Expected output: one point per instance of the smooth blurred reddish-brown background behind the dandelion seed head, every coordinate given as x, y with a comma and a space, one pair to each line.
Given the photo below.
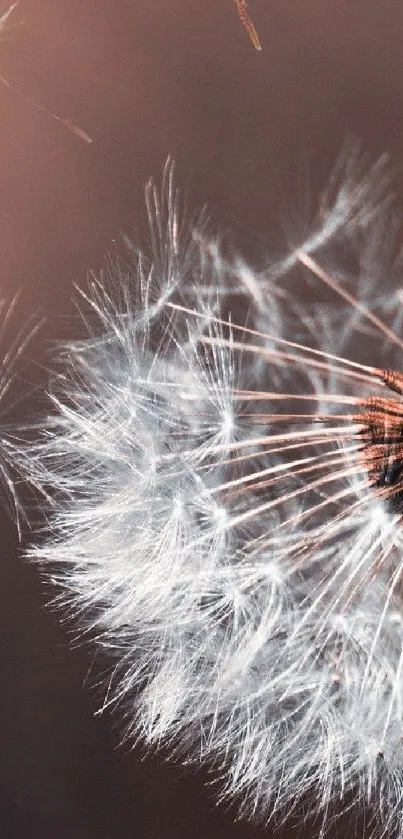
249, 131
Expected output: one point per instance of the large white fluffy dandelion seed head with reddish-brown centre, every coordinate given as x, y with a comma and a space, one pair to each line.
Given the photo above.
224, 469
